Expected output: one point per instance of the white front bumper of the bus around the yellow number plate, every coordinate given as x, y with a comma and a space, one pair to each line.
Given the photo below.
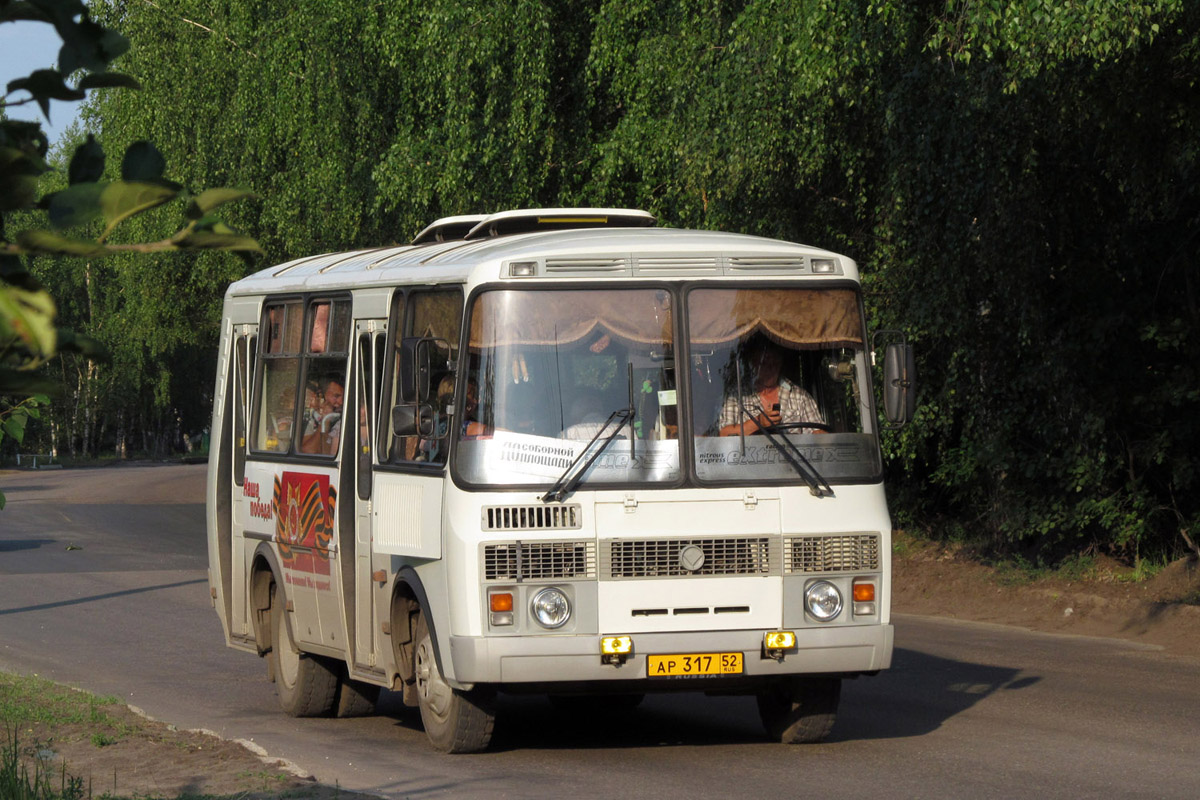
577, 659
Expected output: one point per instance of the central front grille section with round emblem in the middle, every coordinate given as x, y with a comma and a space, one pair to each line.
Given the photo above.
659, 558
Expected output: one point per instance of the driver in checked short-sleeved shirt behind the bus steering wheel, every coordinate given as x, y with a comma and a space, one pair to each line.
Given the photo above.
775, 401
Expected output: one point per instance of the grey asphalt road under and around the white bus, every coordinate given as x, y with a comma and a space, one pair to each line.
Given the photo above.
103, 586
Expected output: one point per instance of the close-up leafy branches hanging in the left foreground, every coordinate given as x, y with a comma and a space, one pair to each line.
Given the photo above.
29, 335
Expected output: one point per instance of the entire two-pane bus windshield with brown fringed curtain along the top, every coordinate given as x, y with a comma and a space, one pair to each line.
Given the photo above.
776, 388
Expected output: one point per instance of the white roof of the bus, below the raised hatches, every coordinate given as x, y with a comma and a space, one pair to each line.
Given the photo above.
659, 254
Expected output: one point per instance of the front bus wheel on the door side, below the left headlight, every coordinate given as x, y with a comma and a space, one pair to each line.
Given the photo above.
455, 721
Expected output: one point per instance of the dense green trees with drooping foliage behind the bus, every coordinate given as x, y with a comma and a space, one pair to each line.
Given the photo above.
1016, 178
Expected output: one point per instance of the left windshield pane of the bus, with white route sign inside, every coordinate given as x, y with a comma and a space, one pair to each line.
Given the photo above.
548, 370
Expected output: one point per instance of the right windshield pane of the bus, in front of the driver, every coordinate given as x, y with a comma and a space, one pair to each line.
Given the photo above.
778, 382
